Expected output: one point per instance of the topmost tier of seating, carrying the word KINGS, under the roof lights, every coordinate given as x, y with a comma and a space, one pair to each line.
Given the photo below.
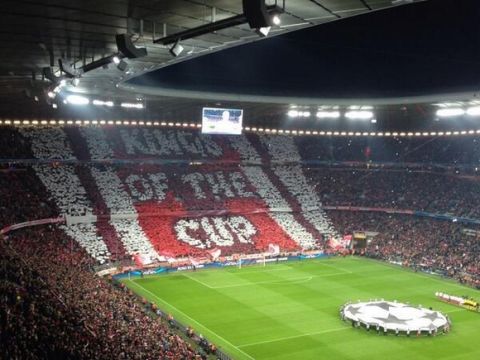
99, 143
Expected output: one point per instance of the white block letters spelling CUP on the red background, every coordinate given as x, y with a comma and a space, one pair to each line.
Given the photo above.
207, 232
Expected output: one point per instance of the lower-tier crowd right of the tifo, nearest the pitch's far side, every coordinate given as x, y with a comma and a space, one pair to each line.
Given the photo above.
449, 248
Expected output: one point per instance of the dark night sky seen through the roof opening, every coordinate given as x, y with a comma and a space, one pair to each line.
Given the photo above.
423, 48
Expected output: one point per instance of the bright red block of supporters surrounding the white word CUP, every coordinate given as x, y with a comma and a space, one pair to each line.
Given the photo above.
189, 223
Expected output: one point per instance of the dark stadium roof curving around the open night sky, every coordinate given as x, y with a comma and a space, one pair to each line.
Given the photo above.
36, 33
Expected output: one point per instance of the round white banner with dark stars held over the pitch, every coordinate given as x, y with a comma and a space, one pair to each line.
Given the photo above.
387, 316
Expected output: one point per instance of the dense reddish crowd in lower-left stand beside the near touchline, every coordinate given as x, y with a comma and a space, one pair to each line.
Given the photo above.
53, 306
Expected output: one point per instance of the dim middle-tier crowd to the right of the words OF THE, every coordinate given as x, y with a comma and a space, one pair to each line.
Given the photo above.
399, 189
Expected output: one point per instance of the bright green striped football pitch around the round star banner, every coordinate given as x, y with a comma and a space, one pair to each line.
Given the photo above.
291, 310
